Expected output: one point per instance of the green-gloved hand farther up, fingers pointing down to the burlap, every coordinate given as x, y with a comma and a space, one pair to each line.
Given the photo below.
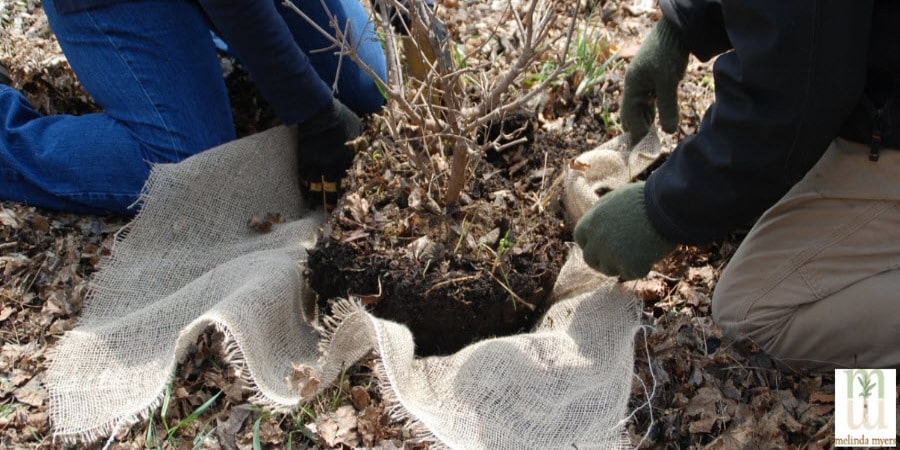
653, 75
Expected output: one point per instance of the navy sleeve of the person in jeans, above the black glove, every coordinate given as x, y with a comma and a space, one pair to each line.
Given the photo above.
260, 38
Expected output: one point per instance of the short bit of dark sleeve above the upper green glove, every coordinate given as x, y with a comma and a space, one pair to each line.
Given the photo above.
701, 25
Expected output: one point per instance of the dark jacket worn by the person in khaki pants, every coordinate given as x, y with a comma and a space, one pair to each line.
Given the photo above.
791, 76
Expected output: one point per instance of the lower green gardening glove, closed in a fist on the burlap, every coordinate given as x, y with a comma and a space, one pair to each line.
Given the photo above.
616, 236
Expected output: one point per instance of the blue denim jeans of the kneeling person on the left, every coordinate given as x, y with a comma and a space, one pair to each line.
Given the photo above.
153, 69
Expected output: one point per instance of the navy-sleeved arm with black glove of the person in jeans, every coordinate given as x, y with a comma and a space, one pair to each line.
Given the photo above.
260, 38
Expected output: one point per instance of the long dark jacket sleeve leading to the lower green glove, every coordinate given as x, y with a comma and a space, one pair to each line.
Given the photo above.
796, 71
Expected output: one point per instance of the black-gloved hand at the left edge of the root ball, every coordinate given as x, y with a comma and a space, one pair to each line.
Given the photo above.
324, 155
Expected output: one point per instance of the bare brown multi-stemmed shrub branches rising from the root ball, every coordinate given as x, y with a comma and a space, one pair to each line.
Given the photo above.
438, 108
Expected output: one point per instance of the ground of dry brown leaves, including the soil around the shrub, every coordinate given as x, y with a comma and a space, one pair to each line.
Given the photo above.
482, 269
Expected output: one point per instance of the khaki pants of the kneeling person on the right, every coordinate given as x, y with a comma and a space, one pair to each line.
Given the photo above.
816, 283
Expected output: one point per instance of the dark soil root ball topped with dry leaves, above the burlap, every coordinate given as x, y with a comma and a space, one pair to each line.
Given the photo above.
454, 275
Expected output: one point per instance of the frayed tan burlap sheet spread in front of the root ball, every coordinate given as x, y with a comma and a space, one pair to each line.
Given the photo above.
189, 261
